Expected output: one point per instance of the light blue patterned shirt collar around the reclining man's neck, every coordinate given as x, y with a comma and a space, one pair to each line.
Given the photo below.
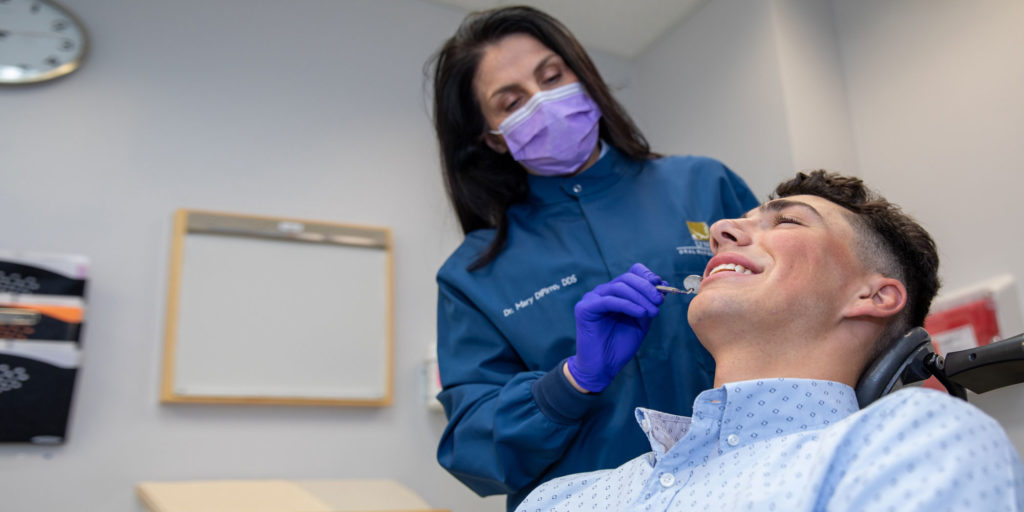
741, 413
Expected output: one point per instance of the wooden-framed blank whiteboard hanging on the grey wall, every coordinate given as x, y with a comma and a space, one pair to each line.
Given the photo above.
275, 311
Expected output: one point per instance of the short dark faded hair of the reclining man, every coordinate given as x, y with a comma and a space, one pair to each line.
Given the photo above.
890, 242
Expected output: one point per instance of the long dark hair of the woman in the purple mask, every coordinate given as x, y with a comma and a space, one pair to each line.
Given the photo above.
481, 183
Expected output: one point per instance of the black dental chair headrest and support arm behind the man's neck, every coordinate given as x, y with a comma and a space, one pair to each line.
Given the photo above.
913, 360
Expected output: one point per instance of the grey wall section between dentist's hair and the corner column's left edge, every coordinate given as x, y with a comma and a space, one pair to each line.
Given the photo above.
712, 88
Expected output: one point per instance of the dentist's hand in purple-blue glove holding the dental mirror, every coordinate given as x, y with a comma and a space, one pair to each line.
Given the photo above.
612, 321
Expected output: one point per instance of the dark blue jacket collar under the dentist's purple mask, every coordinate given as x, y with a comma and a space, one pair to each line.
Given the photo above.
610, 168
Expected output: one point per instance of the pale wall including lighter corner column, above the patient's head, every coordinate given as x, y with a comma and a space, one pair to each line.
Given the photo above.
754, 84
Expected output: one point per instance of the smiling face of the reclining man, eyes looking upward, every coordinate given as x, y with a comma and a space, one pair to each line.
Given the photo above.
789, 265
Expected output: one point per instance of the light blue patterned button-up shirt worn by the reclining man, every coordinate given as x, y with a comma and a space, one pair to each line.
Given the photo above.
795, 445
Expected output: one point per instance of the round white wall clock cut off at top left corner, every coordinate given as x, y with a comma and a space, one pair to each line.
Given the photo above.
38, 41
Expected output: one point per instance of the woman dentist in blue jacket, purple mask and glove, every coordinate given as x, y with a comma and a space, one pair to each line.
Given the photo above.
558, 192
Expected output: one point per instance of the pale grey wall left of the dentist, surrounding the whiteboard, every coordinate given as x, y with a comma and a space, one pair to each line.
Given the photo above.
312, 110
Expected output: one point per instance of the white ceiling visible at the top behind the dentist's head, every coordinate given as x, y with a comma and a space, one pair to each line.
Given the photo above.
622, 28
